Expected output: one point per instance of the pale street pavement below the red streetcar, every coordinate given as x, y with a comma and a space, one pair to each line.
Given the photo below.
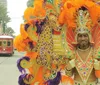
8, 69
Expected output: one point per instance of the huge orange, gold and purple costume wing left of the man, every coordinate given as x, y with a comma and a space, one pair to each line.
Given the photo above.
43, 40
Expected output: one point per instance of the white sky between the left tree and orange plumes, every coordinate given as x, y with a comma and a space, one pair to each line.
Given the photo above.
16, 10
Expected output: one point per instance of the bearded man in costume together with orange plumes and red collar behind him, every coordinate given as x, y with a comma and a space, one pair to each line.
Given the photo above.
83, 40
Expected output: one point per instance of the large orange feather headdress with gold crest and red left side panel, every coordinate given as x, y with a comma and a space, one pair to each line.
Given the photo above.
84, 15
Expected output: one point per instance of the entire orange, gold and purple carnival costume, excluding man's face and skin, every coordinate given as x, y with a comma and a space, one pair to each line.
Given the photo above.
48, 38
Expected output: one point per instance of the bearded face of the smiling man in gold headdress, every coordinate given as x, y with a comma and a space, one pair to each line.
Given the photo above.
83, 40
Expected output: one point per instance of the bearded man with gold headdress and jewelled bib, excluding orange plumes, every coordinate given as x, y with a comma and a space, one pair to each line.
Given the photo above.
83, 71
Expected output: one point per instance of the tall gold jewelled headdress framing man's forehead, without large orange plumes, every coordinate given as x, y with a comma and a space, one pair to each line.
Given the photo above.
84, 22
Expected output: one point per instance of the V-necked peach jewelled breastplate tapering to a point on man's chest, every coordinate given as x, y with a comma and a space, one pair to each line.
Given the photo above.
84, 68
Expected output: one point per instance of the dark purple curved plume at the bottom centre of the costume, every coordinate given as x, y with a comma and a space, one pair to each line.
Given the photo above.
55, 81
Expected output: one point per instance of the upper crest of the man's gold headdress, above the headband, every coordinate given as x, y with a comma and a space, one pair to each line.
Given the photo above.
83, 19
